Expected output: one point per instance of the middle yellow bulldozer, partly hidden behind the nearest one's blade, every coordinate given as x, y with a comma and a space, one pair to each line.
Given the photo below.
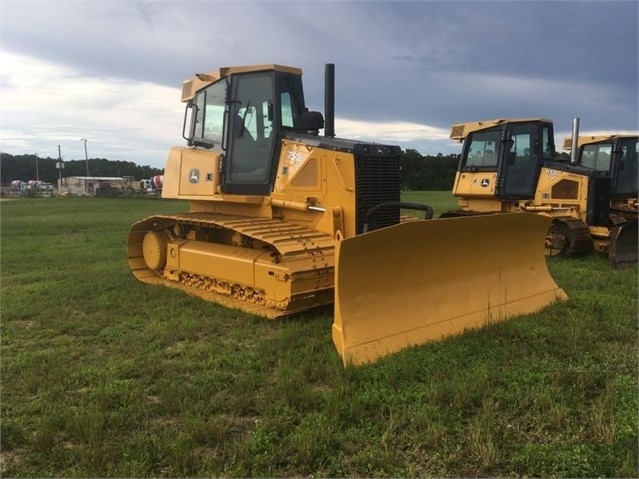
510, 165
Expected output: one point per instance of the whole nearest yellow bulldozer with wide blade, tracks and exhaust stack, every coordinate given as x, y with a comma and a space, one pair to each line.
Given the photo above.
283, 220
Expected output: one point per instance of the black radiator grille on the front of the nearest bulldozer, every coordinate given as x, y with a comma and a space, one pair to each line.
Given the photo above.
376, 181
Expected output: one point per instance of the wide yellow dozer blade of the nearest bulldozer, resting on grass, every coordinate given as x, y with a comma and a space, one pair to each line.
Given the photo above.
421, 281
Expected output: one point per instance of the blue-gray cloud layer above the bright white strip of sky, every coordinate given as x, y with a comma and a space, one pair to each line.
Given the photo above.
429, 62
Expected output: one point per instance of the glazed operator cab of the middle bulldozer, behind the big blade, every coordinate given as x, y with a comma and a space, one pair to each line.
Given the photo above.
513, 149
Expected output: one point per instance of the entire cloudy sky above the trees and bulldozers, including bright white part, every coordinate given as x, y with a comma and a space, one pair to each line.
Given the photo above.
111, 71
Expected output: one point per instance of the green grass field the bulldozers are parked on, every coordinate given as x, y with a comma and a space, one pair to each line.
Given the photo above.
103, 376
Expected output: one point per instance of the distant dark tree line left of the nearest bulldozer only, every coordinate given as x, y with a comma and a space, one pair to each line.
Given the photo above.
32, 167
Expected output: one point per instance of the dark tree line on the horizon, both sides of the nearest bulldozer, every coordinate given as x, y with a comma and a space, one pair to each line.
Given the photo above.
417, 172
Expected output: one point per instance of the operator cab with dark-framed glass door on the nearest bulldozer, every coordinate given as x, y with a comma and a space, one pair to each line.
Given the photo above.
241, 114
